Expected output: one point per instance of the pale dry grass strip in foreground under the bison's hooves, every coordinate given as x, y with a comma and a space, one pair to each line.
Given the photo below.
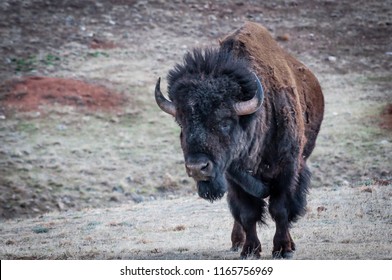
347, 222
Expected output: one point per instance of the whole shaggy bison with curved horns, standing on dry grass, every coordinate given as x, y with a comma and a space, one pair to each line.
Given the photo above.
249, 115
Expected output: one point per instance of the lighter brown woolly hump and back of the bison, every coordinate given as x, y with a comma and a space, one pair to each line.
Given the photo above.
279, 71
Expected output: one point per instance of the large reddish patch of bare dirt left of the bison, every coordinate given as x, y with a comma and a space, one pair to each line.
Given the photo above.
29, 93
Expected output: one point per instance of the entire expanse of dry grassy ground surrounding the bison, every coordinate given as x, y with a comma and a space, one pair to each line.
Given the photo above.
125, 164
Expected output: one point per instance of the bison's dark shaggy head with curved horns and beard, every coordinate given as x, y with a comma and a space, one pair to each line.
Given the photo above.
213, 96
